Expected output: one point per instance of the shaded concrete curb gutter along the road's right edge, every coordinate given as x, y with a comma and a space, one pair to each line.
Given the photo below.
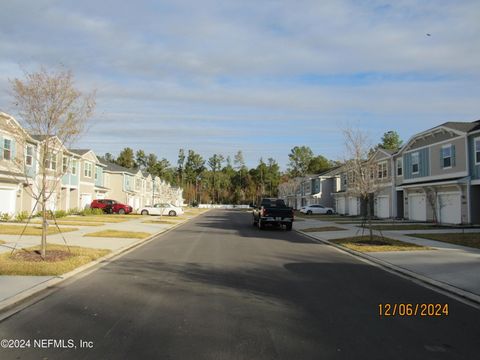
438, 285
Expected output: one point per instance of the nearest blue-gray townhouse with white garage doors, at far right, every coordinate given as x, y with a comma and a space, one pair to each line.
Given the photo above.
437, 174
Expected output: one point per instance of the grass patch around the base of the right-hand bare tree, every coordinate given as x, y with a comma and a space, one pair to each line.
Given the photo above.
376, 244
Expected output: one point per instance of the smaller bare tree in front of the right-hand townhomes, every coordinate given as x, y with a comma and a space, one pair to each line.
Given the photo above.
361, 173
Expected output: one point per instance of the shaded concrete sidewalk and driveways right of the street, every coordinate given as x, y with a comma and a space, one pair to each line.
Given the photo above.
450, 267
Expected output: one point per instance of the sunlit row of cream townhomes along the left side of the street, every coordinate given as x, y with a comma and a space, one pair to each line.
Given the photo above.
84, 176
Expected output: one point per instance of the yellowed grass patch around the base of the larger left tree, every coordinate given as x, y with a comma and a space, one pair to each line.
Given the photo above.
19, 264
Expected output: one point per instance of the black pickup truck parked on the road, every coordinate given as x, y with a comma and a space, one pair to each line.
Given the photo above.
273, 211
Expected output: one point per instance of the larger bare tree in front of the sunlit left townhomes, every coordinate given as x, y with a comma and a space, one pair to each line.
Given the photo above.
55, 113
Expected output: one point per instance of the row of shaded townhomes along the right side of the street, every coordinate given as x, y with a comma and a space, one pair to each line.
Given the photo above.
435, 177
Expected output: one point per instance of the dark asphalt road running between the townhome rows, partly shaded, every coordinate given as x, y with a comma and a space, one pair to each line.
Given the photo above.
218, 288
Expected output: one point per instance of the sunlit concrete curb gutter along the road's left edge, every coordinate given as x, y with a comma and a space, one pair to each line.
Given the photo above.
8, 307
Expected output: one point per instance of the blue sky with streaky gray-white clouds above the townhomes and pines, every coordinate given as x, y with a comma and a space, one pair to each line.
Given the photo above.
257, 76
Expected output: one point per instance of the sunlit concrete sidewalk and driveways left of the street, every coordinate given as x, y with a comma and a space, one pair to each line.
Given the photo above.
14, 288
